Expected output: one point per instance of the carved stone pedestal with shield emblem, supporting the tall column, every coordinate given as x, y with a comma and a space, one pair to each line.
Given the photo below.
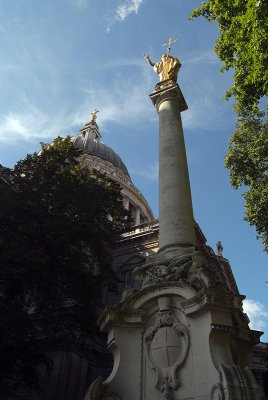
182, 336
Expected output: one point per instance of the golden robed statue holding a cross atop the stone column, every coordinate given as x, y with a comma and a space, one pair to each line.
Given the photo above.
168, 66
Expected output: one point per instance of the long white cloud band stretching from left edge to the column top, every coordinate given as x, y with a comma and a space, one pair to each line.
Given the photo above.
124, 102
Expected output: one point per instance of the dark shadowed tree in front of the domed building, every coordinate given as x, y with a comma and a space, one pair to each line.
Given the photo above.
58, 225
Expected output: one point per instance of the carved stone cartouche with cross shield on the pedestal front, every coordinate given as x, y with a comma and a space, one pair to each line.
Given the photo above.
166, 347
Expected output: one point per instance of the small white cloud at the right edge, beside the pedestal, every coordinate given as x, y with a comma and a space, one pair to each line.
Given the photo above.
257, 314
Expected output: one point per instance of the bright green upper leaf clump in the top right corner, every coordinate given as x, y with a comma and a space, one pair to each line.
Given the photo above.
242, 45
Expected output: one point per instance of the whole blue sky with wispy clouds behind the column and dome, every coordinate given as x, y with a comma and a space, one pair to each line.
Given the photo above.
61, 59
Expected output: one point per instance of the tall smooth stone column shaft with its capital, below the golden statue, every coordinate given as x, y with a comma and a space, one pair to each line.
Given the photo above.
176, 222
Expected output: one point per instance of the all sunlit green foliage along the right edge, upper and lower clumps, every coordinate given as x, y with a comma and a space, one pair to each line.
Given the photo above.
242, 46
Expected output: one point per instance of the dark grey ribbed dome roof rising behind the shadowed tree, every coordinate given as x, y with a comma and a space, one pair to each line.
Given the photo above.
96, 148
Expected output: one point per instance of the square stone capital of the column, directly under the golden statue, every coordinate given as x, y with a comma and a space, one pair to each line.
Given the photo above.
168, 90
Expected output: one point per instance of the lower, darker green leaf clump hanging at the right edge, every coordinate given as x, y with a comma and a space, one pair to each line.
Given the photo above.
247, 160
